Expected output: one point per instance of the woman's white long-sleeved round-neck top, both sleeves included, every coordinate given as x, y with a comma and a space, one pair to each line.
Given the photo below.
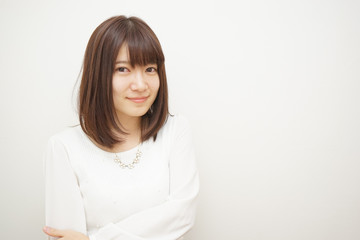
87, 191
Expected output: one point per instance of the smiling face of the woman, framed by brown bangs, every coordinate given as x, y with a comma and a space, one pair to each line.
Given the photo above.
134, 88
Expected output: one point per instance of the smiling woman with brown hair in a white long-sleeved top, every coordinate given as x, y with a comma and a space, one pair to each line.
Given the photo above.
128, 171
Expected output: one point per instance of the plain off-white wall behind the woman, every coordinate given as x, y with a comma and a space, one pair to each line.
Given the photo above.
271, 89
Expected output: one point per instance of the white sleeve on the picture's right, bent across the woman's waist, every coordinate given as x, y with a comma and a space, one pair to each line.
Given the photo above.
176, 216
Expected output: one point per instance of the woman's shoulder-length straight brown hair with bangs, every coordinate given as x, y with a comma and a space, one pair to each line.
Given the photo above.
97, 113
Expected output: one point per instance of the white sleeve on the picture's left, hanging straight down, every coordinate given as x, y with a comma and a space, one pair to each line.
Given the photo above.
63, 201
